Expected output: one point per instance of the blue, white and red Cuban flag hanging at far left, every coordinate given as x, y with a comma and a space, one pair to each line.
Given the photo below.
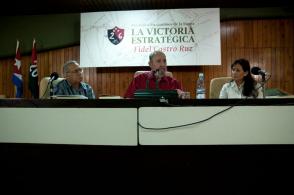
17, 77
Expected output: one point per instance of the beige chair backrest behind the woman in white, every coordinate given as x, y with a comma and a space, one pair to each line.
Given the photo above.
216, 85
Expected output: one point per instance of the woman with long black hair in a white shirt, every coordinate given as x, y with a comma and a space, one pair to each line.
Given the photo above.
242, 84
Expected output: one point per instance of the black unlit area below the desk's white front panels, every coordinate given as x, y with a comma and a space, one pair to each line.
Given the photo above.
38, 168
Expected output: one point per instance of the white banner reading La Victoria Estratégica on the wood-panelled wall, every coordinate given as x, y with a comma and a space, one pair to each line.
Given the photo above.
126, 38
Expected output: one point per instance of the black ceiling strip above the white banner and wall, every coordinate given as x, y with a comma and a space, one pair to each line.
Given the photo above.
32, 7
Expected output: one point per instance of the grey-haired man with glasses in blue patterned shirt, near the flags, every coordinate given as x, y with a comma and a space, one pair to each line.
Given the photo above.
72, 84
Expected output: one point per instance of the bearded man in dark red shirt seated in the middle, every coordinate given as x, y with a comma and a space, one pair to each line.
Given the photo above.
156, 78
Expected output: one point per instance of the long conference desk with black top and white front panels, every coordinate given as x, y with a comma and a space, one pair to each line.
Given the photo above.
147, 122
